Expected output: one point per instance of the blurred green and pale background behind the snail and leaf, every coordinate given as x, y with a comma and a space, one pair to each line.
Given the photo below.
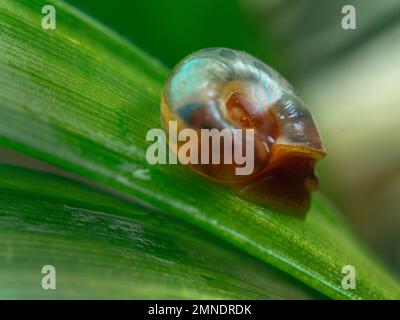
350, 79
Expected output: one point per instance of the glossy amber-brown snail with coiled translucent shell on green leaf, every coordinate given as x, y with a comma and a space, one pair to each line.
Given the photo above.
220, 88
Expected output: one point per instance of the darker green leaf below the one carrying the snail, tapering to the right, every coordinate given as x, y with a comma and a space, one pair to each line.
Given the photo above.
103, 247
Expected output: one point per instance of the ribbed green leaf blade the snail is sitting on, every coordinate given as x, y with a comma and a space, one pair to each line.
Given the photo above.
83, 99
